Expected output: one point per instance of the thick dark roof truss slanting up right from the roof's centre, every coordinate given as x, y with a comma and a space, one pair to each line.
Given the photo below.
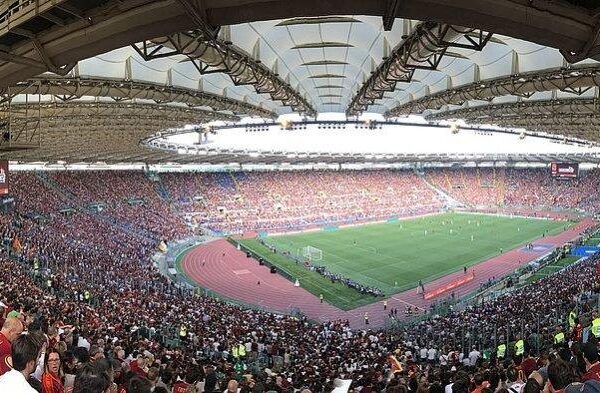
424, 48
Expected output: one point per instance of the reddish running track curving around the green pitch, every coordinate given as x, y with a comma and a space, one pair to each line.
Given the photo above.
220, 267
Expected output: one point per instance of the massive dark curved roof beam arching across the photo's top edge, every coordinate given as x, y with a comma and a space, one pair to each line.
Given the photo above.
74, 30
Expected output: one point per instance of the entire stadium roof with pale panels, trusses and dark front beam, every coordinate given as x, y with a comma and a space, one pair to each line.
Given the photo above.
123, 70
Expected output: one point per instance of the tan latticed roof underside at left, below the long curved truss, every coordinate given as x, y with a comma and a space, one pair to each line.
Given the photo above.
49, 125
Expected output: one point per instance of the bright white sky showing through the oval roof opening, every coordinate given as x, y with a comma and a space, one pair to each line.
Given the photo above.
338, 141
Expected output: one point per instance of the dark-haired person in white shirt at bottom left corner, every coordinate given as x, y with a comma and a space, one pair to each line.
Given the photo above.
25, 351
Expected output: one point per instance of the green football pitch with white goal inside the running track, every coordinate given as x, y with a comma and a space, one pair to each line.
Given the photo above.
394, 256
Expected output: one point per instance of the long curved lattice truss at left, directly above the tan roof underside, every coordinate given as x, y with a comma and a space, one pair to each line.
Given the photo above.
68, 89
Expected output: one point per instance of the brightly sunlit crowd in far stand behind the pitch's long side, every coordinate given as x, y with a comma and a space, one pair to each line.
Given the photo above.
286, 200
